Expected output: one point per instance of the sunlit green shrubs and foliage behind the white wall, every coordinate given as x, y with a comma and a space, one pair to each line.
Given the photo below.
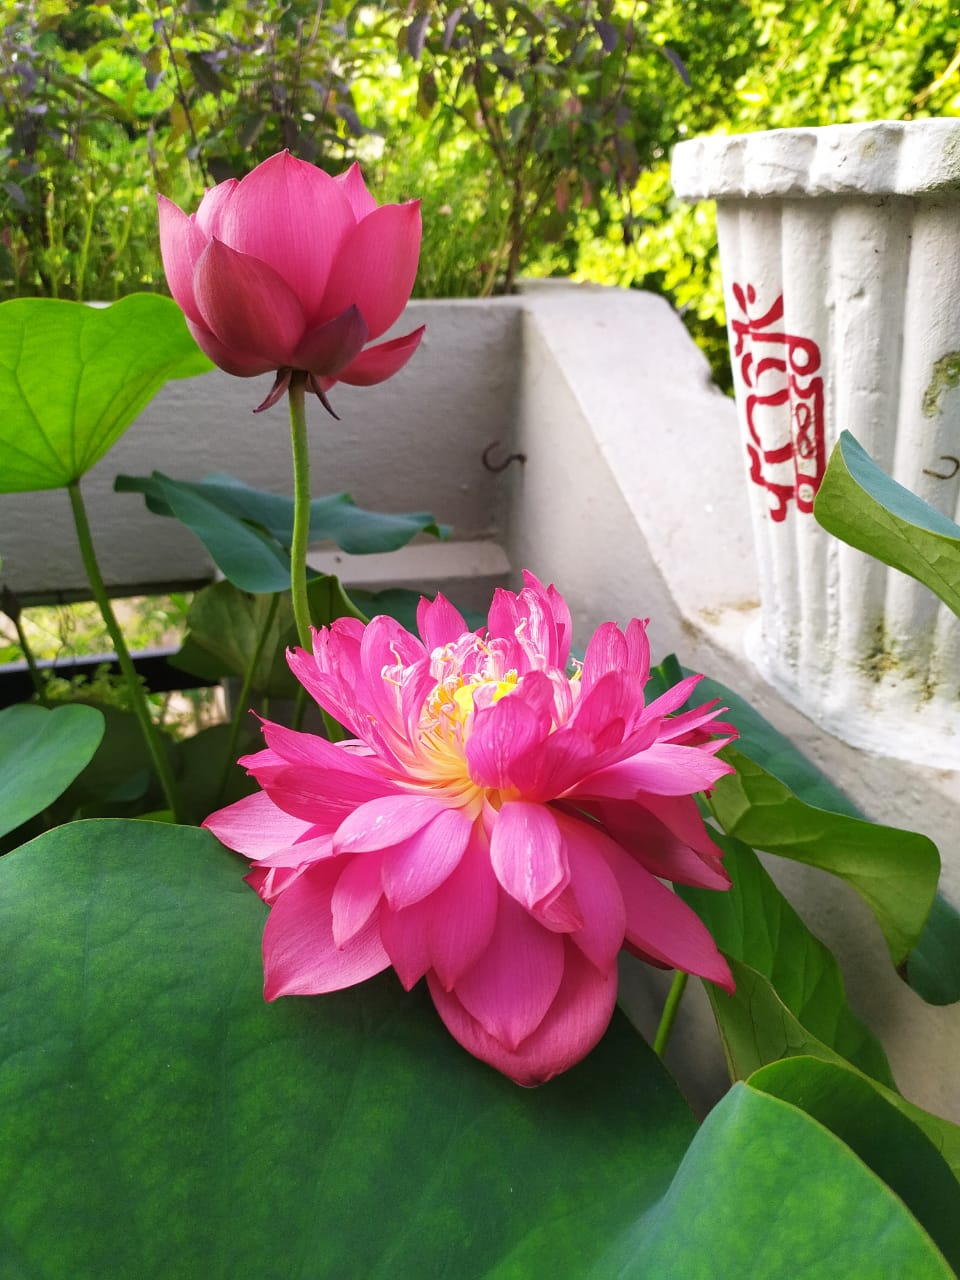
537, 135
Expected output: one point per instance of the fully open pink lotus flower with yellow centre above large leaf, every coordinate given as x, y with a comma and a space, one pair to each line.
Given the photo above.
497, 825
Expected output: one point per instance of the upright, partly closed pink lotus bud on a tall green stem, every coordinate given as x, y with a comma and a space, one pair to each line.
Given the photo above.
291, 269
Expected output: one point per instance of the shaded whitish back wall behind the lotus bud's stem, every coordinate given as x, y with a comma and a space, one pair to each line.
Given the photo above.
414, 444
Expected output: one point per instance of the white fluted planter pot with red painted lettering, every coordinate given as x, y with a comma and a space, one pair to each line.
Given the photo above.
840, 250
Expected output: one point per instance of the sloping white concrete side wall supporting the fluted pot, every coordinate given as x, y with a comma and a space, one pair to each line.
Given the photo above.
634, 502
